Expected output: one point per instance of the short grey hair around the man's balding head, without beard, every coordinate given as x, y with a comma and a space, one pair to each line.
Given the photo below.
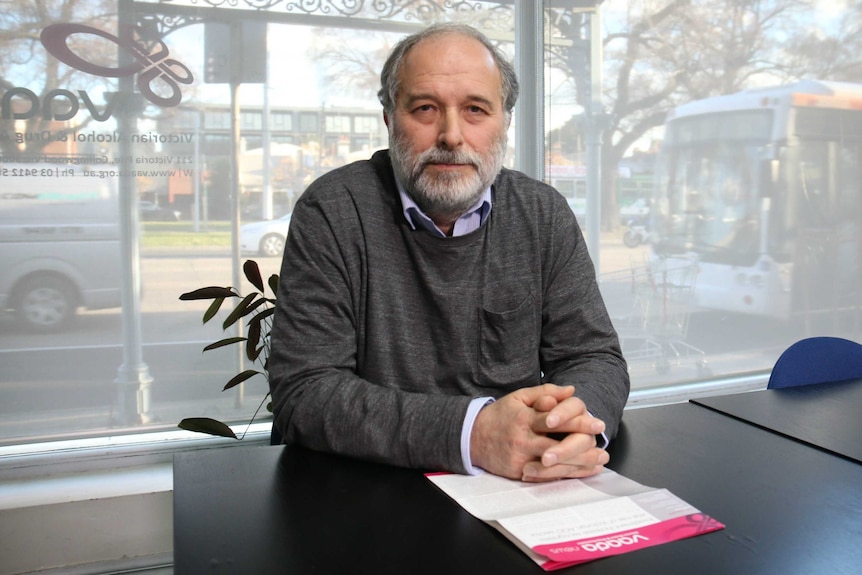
389, 76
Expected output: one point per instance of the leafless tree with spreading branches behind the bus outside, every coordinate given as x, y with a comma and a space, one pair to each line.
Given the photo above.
667, 52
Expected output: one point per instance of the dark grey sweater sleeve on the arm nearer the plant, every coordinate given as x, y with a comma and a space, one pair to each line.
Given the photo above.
319, 400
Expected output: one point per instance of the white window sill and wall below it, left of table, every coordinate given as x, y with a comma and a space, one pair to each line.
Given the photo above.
96, 504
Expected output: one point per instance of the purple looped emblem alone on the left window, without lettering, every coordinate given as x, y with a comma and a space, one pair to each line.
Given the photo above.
151, 65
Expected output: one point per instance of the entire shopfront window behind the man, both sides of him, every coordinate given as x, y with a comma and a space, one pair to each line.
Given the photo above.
125, 352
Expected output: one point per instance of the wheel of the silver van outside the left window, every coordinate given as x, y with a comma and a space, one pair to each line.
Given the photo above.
45, 303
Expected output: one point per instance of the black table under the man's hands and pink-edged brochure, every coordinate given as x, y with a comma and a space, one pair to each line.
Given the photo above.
260, 510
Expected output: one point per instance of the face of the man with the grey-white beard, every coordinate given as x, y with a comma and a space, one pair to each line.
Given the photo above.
448, 129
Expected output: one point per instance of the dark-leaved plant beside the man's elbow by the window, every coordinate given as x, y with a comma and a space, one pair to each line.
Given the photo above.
258, 308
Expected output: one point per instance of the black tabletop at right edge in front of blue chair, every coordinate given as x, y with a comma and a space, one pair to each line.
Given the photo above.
827, 416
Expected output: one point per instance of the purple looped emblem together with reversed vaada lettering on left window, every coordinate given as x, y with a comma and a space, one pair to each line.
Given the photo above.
159, 76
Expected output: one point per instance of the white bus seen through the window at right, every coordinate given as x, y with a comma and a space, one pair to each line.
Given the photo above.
759, 198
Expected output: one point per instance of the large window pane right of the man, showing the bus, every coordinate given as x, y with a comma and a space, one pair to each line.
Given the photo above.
731, 221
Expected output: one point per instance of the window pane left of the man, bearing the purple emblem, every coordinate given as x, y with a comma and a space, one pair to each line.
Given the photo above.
116, 197
